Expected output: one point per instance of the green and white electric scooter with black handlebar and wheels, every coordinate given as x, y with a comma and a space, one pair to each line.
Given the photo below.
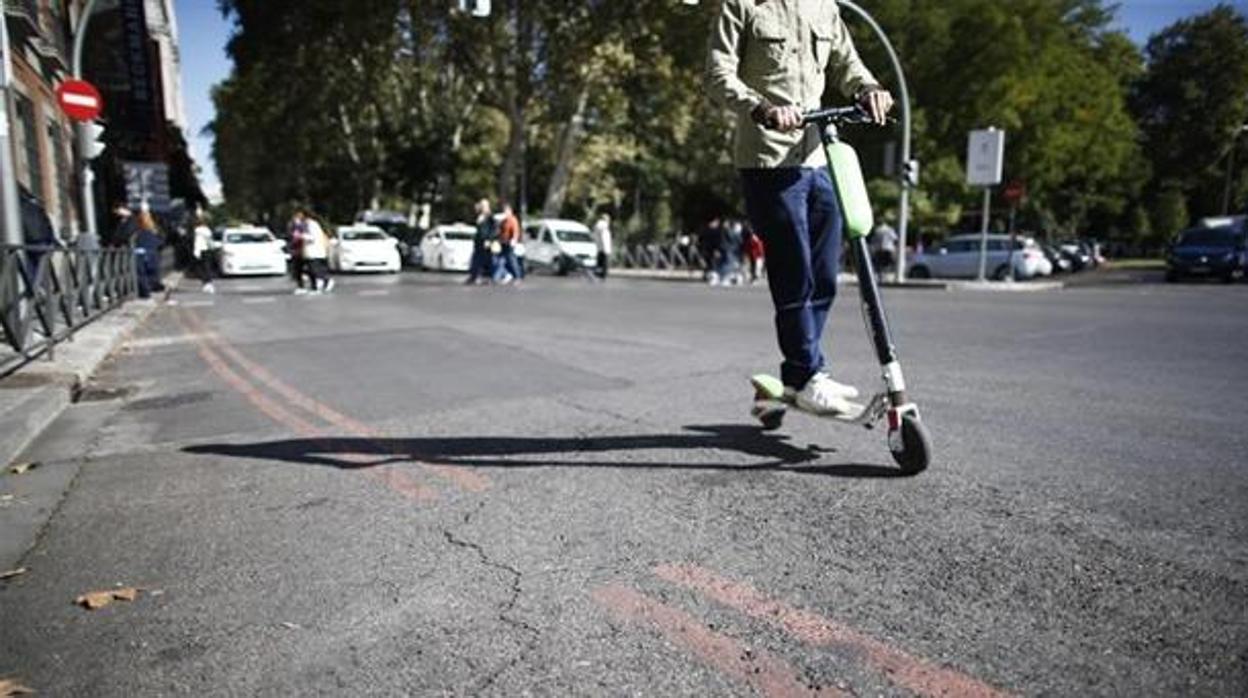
908, 439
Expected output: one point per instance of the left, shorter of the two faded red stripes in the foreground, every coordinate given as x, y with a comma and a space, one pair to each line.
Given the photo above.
764, 672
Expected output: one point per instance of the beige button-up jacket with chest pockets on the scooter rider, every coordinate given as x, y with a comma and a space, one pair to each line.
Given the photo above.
781, 52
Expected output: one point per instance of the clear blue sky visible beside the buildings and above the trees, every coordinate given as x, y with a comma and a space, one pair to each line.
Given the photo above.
205, 33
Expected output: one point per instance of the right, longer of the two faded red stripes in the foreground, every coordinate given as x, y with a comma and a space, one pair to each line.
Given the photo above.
913, 674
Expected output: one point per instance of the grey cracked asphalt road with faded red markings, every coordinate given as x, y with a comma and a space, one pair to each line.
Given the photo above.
415, 488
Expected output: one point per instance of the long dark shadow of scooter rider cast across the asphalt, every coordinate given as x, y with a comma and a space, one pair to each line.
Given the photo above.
771, 451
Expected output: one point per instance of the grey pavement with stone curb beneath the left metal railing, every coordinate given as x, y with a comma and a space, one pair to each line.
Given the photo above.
54, 385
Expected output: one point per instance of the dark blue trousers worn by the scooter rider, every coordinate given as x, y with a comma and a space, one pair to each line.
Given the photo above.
798, 214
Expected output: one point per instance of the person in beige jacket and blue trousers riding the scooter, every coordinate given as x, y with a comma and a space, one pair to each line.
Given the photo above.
769, 63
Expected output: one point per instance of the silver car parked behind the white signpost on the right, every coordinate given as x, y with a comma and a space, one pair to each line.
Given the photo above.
959, 258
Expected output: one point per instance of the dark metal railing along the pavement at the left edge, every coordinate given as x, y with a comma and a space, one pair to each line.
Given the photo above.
47, 294
